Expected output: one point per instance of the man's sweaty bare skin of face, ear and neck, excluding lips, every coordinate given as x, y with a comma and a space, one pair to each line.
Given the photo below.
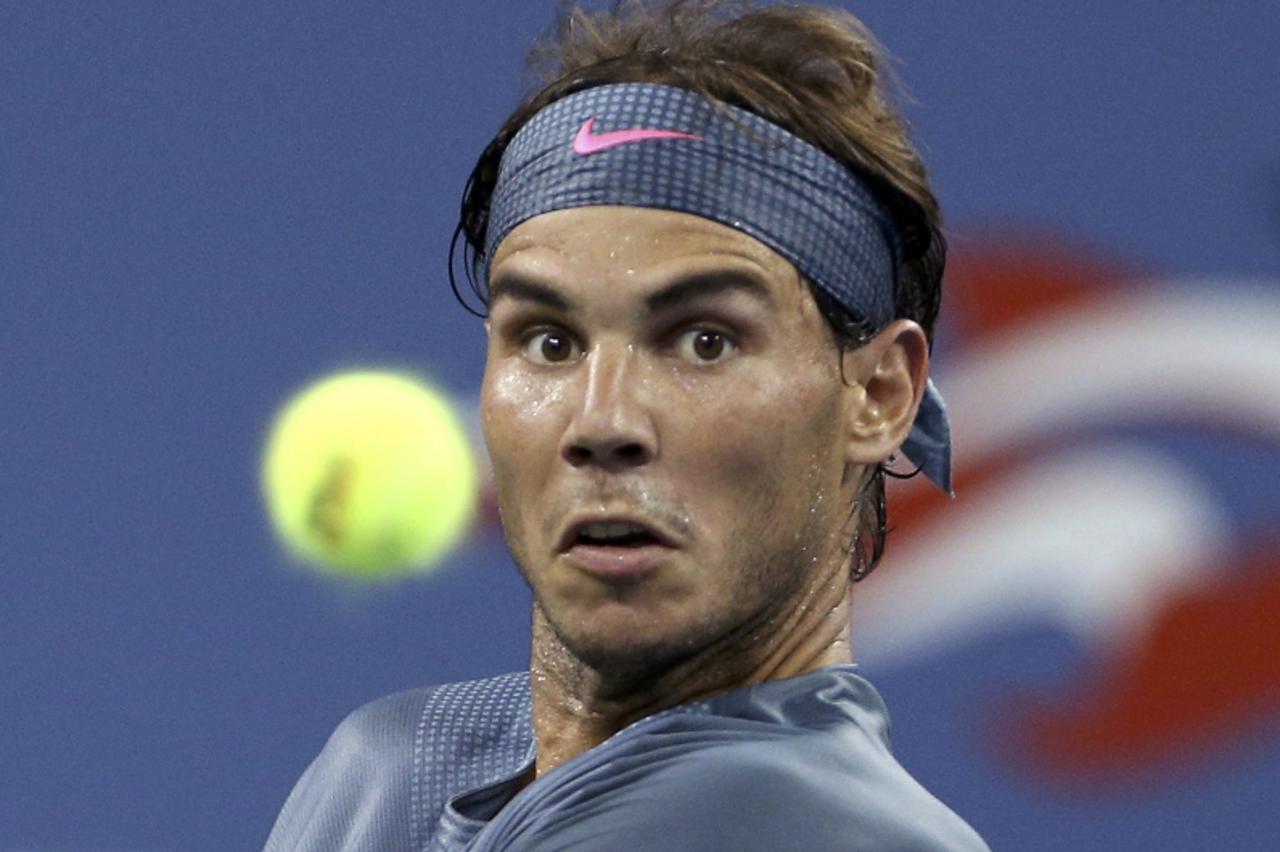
717, 415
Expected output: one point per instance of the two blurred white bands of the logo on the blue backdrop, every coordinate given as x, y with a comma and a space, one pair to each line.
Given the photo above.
1094, 539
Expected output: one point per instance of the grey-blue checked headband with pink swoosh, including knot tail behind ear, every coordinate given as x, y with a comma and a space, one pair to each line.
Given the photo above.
657, 146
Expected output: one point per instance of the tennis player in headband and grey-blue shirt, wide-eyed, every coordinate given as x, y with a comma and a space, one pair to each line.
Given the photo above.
711, 262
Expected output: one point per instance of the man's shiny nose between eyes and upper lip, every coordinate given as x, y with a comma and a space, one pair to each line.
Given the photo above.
612, 427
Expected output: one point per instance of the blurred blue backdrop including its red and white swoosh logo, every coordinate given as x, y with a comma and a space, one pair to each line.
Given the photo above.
207, 207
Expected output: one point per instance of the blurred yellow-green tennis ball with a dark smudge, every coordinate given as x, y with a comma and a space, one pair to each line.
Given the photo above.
369, 475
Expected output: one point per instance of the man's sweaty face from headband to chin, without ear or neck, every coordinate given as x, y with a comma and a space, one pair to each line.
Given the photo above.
673, 372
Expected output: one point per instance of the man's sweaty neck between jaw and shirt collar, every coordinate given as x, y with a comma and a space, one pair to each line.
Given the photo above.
578, 707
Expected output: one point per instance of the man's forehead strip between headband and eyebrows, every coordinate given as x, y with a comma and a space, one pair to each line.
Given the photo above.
629, 241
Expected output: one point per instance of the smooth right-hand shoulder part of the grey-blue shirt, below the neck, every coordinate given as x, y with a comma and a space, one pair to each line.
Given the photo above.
787, 768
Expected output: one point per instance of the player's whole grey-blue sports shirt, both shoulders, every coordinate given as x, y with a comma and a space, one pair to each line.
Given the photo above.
797, 764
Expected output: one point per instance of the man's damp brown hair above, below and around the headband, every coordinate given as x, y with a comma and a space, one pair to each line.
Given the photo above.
815, 71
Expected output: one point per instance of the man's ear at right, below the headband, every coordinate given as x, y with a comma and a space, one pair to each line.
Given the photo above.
888, 378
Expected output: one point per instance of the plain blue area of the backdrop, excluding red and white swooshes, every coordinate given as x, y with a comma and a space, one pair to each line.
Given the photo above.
204, 207
